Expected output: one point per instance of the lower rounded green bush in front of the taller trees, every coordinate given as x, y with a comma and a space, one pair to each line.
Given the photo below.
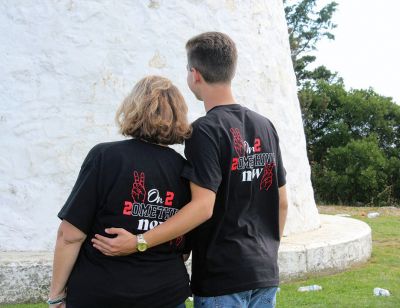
354, 173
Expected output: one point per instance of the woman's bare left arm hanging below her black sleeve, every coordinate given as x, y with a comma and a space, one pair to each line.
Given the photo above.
68, 244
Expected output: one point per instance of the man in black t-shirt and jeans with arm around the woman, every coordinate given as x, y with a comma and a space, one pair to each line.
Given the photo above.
238, 190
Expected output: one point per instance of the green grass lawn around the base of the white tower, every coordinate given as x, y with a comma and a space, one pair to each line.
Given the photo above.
354, 287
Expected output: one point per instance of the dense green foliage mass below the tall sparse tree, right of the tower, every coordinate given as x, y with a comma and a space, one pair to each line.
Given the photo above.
353, 143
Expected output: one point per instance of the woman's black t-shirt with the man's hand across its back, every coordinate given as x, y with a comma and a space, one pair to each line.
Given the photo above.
133, 185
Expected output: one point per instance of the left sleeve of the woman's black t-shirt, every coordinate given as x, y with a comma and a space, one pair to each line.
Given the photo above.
81, 205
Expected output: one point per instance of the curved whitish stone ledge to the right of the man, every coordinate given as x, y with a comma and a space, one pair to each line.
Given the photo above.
337, 245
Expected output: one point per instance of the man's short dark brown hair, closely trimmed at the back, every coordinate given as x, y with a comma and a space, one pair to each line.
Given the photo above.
214, 55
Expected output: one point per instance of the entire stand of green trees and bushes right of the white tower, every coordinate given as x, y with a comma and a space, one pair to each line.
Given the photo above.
353, 137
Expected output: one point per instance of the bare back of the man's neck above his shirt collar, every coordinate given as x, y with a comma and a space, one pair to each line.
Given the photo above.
217, 95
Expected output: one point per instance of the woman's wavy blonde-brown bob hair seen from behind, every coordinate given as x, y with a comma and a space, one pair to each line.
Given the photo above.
155, 111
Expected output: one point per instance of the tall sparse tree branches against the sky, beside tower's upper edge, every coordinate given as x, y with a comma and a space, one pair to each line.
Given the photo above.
307, 26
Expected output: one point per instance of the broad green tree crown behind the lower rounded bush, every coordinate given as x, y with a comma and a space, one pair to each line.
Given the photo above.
333, 116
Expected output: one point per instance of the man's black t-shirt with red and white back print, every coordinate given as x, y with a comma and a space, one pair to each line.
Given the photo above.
235, 152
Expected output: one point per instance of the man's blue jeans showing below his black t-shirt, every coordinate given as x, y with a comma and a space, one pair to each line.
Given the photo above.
258, 298
